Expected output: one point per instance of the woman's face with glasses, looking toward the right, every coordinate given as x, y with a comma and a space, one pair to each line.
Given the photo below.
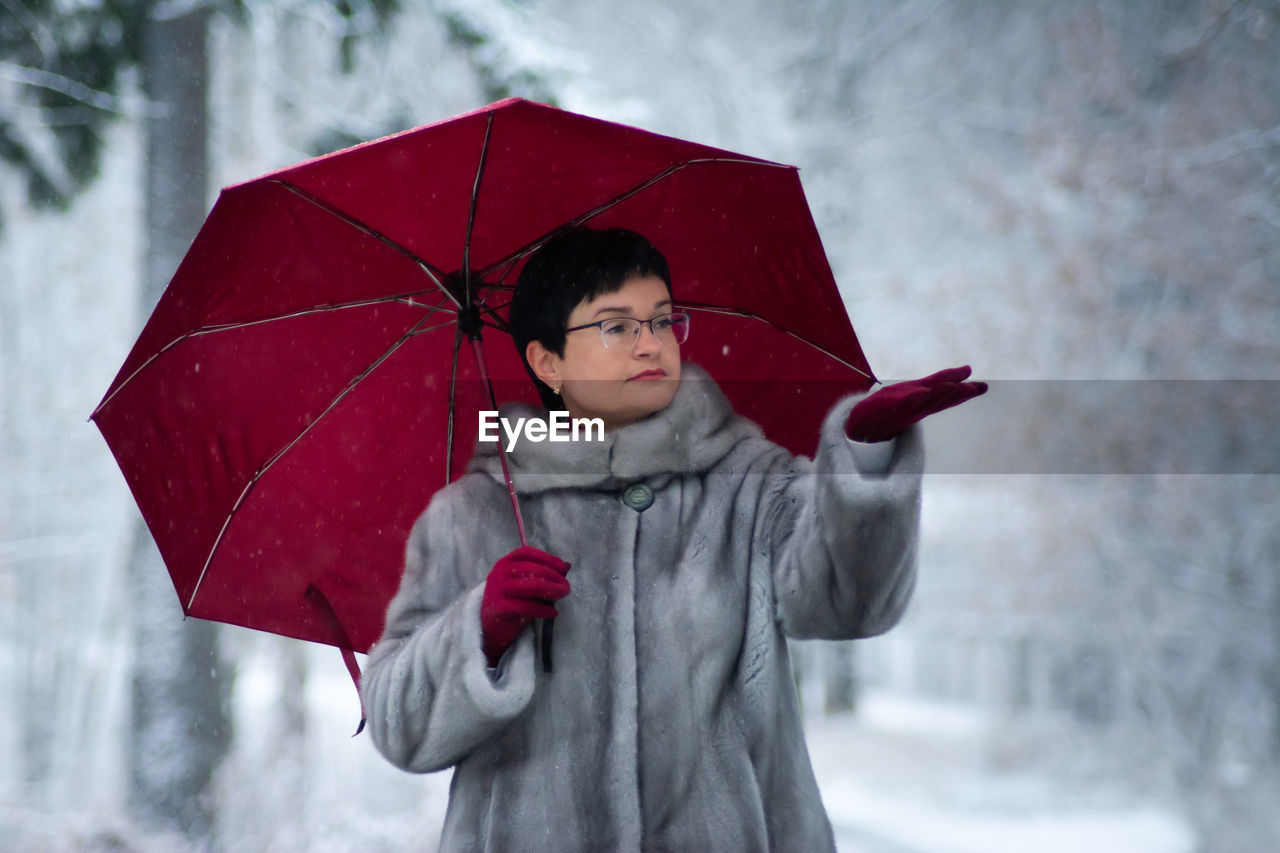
620, 385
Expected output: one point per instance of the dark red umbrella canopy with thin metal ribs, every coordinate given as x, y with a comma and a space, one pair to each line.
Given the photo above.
300, 391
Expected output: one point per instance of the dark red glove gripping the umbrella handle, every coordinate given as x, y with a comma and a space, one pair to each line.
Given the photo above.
522, 587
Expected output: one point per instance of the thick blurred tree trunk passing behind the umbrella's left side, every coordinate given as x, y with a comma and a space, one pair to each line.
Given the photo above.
181, 724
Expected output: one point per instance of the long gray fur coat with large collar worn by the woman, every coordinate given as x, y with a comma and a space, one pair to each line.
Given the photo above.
671, 720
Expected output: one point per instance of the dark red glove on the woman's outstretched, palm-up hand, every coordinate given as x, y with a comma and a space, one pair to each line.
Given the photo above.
893, 409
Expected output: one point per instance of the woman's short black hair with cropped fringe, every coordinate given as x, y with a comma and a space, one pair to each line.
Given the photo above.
575, 266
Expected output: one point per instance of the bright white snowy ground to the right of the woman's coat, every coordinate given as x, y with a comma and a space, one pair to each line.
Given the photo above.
911, 778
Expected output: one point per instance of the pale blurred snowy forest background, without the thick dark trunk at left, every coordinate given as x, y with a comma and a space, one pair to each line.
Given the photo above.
1049, 191
